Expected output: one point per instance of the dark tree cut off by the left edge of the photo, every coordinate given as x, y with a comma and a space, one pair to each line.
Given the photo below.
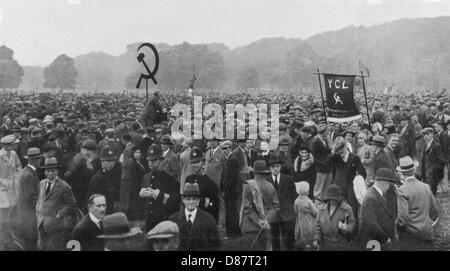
10, 71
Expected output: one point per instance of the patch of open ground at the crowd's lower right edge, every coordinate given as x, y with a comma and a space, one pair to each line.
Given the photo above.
442, 229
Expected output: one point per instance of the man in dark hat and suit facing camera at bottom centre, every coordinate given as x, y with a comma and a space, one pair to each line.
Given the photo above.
198, 229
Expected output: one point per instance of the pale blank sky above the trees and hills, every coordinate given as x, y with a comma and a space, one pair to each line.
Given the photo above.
40, 30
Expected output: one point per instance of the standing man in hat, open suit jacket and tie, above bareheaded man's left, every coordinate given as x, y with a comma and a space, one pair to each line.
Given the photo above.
55, 204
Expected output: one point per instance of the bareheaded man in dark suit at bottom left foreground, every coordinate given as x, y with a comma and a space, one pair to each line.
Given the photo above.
87, 230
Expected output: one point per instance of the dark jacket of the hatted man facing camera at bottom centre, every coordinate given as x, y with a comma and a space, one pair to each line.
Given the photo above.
203, 235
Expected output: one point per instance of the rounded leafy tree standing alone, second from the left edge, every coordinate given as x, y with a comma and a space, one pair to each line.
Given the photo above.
60, 73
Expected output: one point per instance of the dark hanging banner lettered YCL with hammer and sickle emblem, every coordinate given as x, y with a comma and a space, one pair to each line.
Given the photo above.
341, 105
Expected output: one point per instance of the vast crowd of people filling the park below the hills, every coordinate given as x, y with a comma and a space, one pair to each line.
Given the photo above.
106, 171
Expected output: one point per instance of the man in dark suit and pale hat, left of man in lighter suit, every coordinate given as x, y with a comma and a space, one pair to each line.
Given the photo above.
26, 201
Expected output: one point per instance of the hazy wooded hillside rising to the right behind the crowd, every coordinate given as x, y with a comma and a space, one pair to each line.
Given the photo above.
407, 53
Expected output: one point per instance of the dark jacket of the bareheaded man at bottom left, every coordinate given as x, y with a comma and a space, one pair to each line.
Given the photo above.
86, 233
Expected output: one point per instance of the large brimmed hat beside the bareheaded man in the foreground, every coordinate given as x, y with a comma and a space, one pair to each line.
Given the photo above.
116, 226
